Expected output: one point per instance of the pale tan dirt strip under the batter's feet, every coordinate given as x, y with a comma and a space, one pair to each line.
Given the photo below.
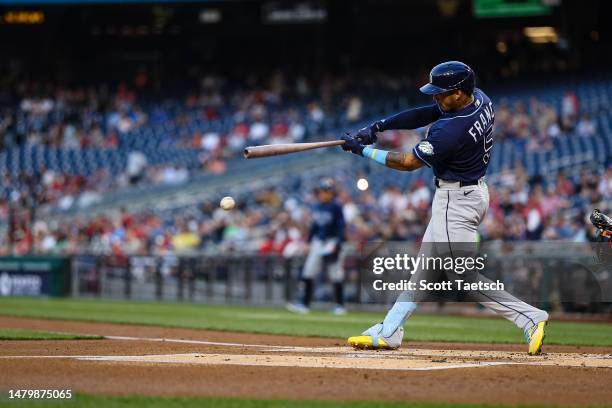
344, 358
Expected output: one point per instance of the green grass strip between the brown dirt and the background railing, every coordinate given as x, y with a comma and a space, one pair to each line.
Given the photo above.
278, 321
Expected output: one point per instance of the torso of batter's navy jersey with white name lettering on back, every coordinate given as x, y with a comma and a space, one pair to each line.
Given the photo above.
458, 145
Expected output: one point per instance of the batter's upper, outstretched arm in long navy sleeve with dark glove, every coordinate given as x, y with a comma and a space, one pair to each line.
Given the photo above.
408, 119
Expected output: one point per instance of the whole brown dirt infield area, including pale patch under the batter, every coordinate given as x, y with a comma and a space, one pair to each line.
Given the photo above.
167, 361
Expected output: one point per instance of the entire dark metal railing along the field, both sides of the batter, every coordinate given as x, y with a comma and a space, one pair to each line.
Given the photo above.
550, 279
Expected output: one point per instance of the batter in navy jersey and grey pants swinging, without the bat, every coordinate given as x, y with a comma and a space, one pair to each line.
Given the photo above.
458, 149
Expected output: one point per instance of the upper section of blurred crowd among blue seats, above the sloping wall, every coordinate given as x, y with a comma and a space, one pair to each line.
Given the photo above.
66, 146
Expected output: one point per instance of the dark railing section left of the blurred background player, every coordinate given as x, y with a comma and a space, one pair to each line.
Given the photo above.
236, 278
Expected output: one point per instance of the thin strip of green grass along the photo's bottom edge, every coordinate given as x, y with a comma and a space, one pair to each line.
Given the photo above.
86, 401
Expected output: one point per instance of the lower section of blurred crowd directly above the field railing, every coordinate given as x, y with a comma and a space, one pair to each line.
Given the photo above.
277, 221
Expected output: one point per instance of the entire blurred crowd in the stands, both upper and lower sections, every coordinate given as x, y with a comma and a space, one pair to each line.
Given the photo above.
66, 147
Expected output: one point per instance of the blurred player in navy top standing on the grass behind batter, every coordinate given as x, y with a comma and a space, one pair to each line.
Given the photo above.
325, 249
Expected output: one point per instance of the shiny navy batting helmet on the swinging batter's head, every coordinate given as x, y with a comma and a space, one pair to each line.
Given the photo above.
449, 76
